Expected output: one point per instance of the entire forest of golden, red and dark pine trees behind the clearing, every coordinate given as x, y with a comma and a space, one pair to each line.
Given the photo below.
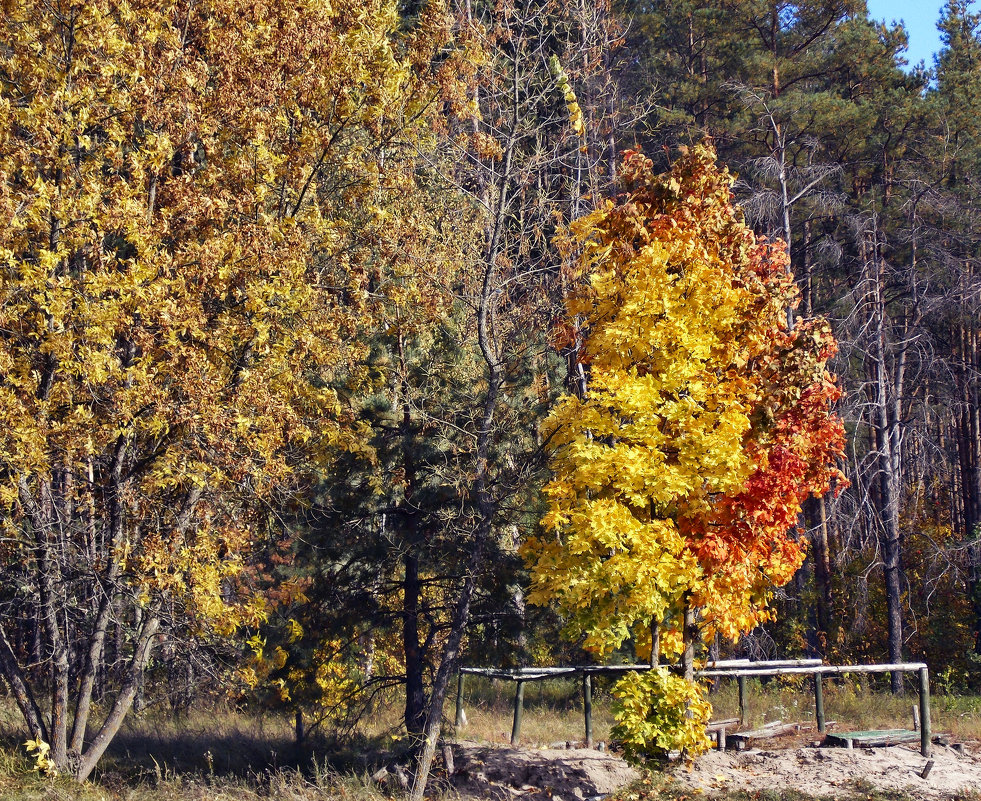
299, 323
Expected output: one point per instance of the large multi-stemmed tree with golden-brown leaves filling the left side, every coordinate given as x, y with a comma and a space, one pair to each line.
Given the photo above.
178, 285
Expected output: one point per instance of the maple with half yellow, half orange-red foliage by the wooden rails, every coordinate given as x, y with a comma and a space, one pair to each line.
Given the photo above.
680, 471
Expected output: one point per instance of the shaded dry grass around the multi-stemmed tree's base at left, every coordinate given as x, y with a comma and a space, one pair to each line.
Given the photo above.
211, 754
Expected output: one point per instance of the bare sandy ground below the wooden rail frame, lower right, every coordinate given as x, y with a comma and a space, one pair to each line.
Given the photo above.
494, 772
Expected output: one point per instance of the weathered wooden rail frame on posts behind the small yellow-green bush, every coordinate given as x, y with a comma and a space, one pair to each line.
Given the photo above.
739, 669
